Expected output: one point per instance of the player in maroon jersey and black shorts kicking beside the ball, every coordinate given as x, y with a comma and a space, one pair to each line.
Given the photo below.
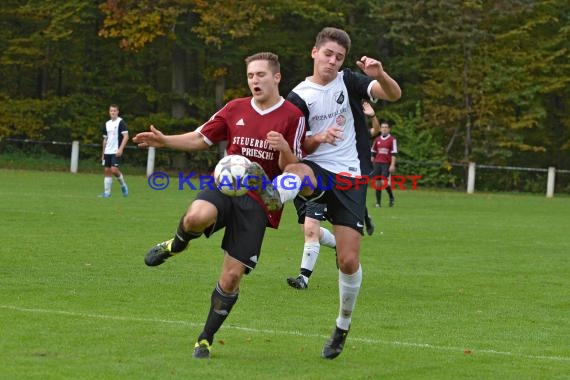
269, 131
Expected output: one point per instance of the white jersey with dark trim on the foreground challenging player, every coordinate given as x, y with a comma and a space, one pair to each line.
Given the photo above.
328, 107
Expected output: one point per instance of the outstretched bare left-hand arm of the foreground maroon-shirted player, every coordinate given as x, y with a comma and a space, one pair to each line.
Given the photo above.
190, 141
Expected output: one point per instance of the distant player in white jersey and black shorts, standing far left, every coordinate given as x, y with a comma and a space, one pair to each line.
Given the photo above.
115, 137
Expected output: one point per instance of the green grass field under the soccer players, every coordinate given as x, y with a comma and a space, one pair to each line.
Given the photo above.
455, 286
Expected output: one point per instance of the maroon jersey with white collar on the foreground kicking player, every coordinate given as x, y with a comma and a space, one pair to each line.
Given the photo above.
244, 126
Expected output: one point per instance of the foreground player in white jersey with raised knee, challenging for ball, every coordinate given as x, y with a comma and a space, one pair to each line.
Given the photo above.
339, 152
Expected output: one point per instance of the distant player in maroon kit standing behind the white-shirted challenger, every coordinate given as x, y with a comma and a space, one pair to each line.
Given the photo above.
384, 150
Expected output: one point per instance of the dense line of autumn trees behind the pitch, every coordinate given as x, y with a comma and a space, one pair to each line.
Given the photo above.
483, 81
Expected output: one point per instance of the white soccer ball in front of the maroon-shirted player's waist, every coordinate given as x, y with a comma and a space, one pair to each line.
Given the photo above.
230, 173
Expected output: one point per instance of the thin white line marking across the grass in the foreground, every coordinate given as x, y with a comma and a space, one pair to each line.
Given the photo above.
283, 332
